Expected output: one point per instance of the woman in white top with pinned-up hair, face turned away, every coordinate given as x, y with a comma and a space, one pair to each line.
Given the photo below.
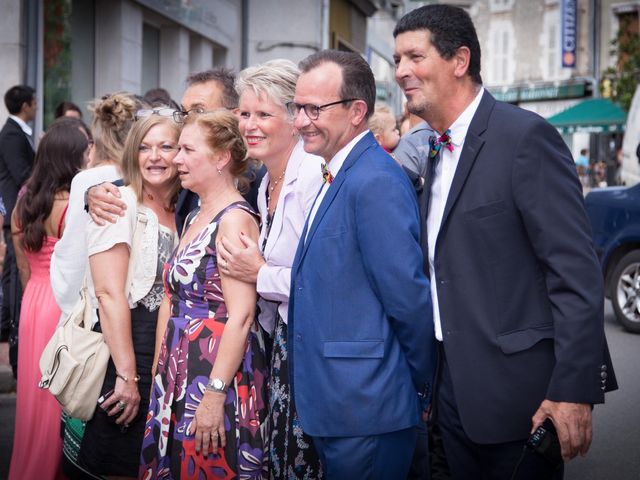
113, 117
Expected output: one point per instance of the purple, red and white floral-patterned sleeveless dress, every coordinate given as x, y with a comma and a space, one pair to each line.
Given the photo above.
187, 355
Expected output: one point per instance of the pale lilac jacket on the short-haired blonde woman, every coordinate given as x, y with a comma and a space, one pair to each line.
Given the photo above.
302, 180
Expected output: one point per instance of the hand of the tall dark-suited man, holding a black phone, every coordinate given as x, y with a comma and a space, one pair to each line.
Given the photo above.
572, 422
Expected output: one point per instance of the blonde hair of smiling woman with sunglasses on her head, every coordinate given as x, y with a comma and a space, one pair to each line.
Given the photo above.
131, 173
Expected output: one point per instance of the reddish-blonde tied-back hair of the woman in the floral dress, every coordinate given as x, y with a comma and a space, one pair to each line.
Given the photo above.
221, 133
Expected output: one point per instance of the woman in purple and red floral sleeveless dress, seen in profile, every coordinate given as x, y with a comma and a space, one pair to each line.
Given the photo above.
207, 410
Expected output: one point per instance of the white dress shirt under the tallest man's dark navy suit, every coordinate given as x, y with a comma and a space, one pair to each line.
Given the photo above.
442, 180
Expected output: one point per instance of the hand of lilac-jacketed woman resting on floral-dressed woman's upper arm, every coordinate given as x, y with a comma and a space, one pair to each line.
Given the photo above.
240, 262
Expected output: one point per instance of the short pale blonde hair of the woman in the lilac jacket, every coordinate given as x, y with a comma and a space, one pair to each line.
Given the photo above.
276, 79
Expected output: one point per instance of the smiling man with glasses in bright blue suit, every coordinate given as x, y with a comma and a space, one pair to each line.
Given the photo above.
360, 328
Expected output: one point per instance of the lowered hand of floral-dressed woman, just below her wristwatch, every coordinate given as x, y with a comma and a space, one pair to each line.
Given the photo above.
208, 423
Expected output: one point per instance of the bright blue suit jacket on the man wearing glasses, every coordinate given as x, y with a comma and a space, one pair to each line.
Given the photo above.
360, 333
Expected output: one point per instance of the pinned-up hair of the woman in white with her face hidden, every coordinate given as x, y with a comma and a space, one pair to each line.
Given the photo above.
113, 116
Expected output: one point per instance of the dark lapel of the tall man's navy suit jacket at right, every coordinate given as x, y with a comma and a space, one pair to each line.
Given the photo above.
472, 145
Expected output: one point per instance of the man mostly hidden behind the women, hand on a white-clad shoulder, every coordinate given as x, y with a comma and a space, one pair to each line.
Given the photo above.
206, 91
